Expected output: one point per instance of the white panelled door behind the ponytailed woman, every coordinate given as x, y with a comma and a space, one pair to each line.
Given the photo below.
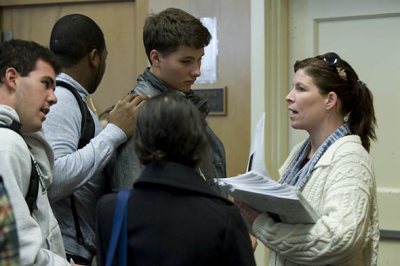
365, 33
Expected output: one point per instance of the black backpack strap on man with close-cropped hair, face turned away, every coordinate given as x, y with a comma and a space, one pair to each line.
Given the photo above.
87, 133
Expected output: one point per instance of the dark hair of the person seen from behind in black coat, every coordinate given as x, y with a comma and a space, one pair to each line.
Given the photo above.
170, 128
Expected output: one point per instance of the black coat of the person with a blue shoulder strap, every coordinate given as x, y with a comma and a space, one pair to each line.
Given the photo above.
175, 219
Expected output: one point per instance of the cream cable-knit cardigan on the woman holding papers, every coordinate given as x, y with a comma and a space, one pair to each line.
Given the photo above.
342, 189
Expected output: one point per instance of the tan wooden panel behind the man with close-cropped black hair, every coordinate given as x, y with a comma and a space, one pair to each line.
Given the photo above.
120, 20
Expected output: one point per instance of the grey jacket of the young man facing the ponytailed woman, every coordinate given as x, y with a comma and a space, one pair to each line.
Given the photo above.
125, 167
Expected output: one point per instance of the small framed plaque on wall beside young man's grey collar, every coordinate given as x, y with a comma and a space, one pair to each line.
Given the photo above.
216, 98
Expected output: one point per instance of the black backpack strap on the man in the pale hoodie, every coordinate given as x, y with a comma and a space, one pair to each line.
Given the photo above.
31, 195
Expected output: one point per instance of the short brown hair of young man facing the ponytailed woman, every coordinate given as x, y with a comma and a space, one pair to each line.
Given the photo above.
173, 27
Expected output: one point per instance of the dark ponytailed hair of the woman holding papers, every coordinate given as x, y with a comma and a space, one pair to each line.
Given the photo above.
332, 74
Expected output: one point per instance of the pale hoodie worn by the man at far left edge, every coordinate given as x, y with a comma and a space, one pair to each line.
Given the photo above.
39, 234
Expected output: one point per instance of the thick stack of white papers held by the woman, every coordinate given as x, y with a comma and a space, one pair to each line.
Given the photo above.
258, 190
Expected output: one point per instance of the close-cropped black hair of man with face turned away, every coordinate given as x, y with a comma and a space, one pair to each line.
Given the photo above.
74, 36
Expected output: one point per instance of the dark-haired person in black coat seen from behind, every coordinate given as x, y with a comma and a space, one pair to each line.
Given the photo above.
174, 217
